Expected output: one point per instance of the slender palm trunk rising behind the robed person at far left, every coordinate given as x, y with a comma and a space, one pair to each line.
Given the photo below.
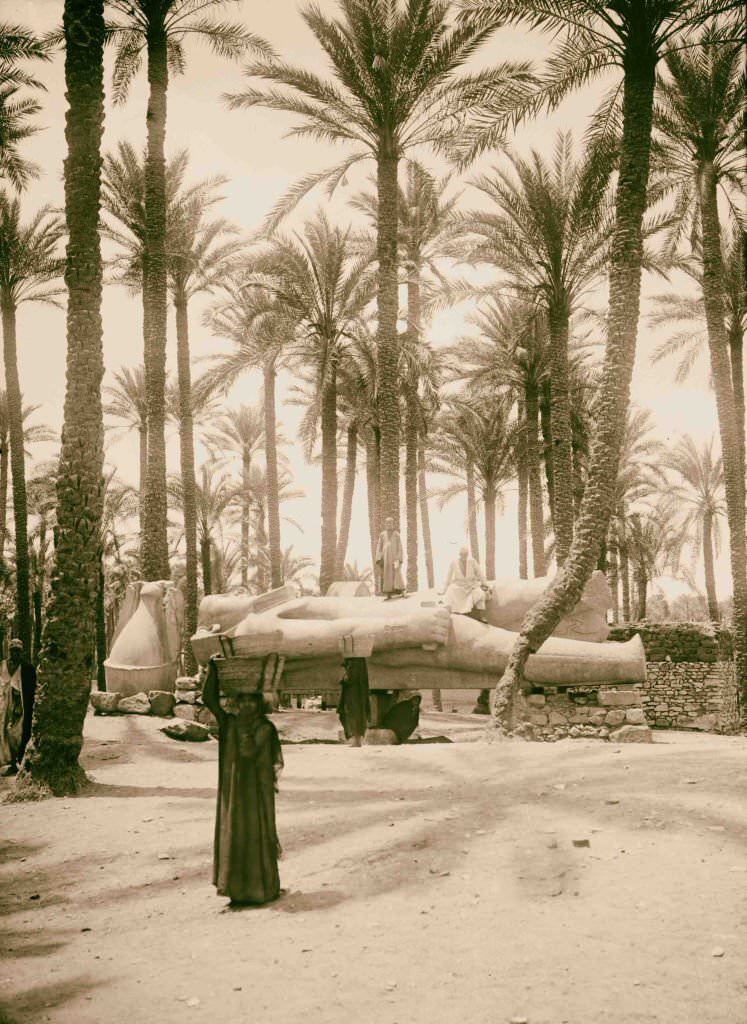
18, 470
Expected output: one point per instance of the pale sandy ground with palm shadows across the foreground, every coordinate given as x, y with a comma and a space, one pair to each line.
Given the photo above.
472, 883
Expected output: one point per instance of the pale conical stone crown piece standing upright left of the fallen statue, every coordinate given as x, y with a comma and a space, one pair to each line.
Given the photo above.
148, 639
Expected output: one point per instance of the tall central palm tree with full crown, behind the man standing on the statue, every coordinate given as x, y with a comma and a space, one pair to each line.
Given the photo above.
396, 89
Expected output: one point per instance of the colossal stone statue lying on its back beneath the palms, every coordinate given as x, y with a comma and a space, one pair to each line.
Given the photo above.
416, 644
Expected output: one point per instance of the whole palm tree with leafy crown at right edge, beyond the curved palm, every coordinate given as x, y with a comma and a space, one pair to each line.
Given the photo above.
700, 120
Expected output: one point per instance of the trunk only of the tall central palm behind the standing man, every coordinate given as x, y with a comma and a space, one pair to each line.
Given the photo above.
388, 312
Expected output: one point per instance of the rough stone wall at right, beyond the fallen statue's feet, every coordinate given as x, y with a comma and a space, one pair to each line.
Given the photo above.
691, 679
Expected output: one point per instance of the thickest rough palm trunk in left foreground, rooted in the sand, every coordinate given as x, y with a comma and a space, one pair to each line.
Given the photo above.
65, 672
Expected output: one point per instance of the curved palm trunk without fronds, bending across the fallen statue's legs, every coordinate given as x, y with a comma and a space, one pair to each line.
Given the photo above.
614, 394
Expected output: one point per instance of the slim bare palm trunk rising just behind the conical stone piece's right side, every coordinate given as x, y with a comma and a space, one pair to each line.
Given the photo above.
189, 483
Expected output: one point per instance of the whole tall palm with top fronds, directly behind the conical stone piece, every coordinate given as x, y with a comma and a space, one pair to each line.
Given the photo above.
158, 30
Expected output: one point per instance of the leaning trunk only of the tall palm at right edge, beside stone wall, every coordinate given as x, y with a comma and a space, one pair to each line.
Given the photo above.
732, 432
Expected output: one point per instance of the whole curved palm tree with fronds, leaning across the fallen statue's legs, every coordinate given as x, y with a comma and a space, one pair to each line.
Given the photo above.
595, 36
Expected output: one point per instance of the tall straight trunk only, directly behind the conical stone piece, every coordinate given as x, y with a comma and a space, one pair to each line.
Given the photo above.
155, 554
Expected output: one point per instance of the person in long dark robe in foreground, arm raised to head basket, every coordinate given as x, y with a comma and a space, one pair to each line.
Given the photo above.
251, 759
